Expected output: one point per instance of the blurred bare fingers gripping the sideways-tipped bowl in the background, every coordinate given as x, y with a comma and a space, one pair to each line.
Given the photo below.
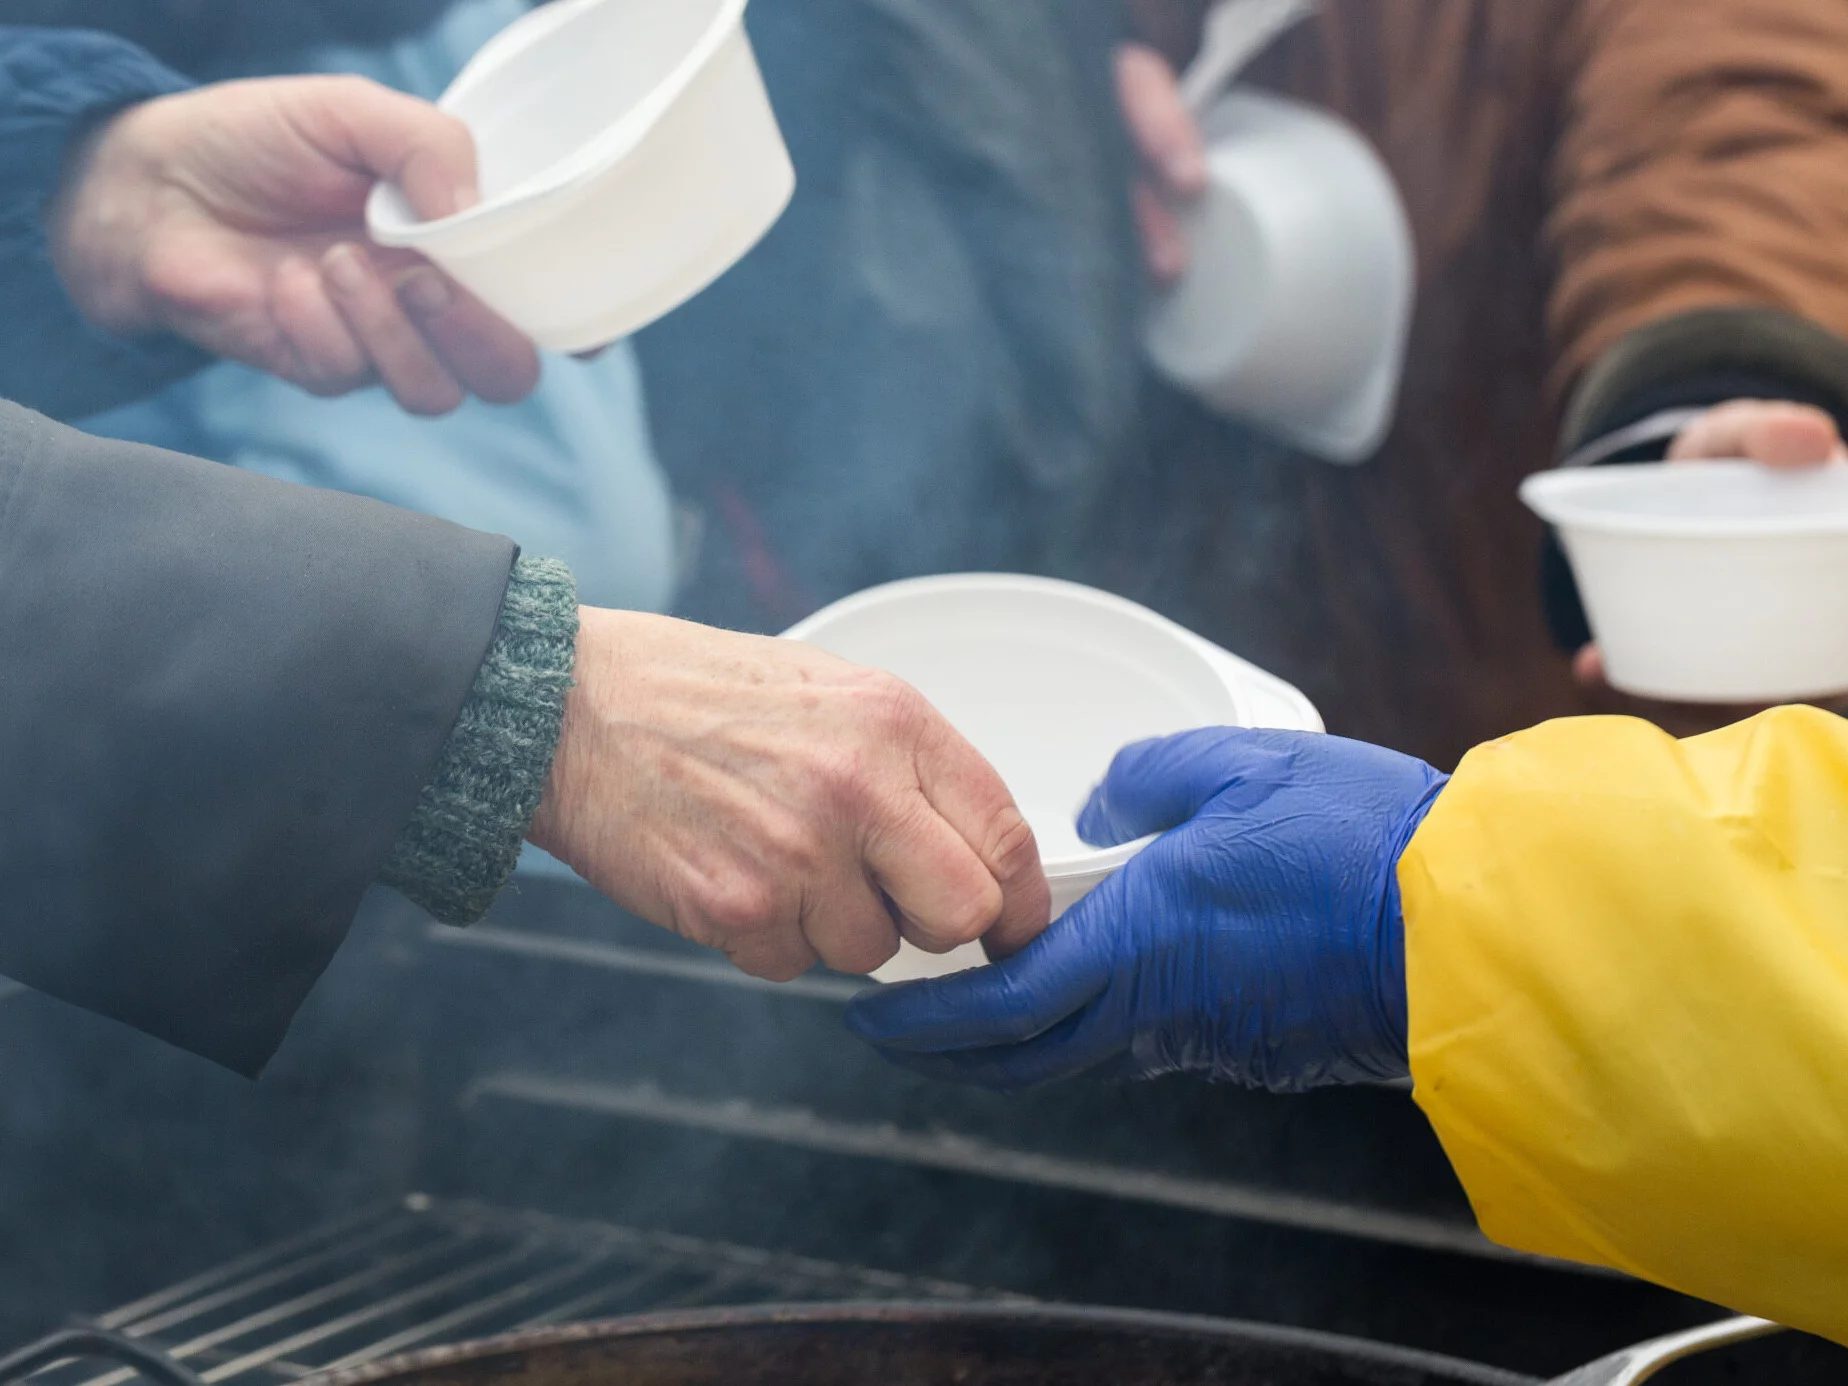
1171, 151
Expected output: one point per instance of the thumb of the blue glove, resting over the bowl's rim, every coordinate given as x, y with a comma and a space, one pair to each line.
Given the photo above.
1160, 784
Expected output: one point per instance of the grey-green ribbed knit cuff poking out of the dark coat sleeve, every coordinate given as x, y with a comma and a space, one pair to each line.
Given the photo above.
461, 844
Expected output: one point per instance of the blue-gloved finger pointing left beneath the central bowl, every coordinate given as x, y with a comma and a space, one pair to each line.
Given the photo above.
1056, 977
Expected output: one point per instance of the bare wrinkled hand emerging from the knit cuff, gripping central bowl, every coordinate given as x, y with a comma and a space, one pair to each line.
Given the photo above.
768, 799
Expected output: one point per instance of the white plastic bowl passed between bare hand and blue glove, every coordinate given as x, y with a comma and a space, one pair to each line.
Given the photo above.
1049, 681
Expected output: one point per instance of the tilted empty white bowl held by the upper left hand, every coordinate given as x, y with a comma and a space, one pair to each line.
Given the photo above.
629, 156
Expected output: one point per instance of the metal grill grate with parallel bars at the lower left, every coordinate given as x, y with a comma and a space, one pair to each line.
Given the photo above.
426, 1272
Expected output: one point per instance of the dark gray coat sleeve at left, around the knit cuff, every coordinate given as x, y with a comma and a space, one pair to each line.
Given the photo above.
219, 701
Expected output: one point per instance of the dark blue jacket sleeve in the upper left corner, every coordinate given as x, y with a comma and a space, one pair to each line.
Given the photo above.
56, 84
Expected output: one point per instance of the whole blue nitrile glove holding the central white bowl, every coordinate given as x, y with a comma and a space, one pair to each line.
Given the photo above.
1258, 943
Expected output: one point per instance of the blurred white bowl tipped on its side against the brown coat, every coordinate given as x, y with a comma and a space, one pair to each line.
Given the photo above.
1295, 310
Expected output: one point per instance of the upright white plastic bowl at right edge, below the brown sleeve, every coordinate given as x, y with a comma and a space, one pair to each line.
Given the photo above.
1708, 581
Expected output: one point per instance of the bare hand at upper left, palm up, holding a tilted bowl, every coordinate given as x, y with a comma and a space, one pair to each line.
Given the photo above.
234, 217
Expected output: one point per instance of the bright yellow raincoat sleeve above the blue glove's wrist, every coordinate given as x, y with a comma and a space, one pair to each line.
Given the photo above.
1627, 964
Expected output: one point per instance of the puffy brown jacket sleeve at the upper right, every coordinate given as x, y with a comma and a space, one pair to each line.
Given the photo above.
1701, 164
